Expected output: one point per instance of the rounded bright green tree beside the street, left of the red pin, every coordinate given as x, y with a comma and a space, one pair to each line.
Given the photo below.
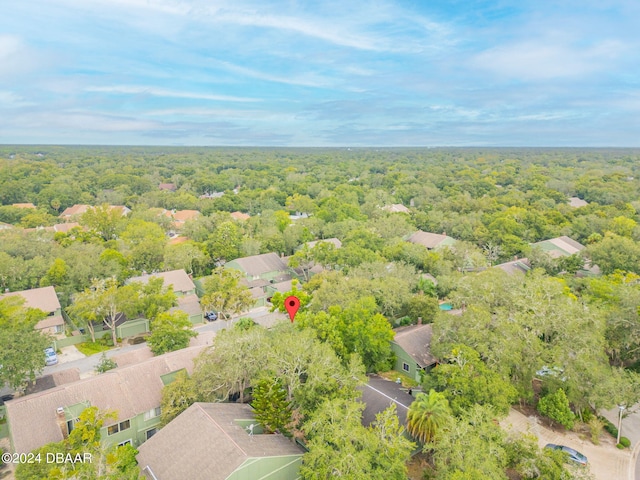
170, 331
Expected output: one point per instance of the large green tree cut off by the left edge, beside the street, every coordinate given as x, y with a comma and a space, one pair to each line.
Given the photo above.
21, 355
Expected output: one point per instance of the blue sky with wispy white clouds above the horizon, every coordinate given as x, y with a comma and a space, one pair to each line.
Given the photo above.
320, 73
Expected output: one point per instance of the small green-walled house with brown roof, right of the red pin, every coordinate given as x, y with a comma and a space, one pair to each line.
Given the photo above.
412, 348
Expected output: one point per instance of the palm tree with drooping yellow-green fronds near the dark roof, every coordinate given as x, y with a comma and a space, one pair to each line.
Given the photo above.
426, 415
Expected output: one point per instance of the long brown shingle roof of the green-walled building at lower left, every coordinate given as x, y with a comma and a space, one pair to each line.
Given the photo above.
129, 391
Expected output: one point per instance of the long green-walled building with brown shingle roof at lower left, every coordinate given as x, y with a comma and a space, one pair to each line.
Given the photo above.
133, 392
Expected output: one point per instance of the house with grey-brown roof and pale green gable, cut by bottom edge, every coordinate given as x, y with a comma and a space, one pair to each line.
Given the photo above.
218, 441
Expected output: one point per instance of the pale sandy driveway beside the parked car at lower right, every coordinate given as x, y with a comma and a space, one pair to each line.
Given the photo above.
606, 462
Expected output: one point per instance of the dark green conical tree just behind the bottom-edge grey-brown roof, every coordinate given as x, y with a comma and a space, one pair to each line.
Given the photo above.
272, 409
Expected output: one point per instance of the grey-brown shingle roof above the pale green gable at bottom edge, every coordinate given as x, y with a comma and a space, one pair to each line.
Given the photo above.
205, 442
